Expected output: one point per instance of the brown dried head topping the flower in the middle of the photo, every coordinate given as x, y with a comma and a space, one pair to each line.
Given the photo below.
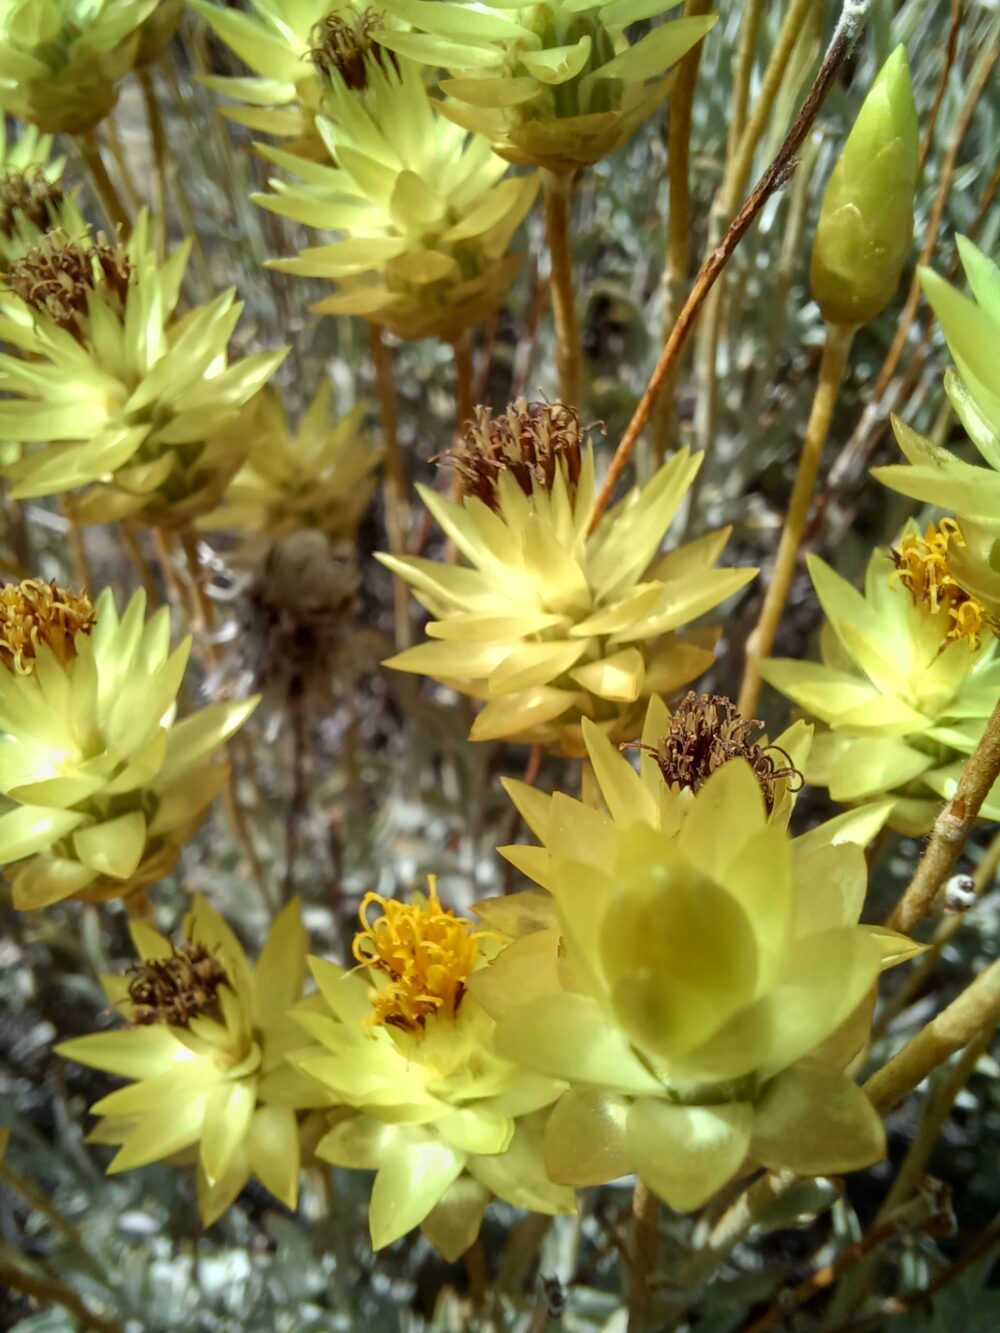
531, 442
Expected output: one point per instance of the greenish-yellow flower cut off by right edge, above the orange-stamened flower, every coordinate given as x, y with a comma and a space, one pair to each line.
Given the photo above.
973, 330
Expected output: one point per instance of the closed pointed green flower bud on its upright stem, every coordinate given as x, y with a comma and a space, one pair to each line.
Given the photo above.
866, 222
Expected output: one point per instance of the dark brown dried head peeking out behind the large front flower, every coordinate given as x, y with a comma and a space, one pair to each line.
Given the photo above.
706, 732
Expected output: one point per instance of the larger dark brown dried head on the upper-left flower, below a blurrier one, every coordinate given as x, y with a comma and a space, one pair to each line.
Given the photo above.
58, 275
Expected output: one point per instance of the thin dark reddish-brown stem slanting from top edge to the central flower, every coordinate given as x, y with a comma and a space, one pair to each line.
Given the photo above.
851, 21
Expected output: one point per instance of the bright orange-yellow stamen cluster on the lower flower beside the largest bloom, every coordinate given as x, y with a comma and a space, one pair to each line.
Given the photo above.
427, 954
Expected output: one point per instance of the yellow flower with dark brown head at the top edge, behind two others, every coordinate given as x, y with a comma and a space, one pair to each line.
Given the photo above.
291, 46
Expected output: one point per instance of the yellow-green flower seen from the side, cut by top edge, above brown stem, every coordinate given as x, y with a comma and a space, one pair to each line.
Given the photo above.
554, 85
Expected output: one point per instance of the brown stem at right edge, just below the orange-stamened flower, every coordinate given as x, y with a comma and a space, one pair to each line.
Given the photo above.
951, 831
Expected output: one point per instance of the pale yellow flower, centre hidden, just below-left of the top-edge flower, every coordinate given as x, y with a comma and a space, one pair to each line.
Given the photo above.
423, 209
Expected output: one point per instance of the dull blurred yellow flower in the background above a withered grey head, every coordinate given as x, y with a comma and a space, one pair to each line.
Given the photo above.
322, 477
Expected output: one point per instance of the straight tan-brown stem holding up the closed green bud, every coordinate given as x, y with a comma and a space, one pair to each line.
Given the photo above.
833, 370
